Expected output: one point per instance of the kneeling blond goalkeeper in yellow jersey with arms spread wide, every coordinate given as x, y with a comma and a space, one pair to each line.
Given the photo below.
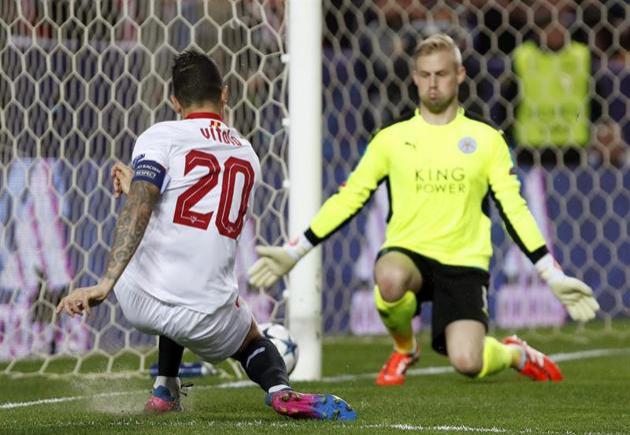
441, 167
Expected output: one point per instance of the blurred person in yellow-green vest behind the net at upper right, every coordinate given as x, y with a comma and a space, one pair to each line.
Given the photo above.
553, 76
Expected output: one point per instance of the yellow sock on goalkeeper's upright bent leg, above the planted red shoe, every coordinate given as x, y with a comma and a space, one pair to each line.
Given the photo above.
396, 317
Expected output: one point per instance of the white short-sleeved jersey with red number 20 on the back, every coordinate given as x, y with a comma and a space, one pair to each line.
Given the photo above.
207, 173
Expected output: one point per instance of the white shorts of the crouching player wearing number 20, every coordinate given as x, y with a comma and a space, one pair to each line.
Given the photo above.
213, 337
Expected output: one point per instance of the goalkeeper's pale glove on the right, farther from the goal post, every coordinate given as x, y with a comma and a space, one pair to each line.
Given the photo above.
576, 296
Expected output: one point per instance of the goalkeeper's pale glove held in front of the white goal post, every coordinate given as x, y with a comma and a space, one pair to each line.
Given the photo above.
275, 261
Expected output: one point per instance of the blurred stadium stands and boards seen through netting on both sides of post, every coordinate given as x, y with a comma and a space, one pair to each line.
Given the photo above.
80, 80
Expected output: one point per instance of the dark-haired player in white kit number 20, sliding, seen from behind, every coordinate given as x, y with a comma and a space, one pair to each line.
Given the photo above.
171, 264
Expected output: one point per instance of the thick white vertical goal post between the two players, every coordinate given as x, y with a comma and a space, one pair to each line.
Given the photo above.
305, 178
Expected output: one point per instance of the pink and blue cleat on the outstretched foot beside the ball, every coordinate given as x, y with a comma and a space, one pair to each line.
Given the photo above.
310, 406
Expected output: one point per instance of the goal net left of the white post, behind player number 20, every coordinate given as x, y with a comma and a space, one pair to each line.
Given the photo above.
80, 80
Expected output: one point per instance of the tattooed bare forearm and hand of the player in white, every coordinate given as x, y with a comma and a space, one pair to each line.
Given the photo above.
132, 223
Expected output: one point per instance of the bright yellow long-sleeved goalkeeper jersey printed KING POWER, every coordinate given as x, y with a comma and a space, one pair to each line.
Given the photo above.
440, 178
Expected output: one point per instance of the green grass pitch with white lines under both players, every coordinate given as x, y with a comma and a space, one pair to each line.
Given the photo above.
594, 398
